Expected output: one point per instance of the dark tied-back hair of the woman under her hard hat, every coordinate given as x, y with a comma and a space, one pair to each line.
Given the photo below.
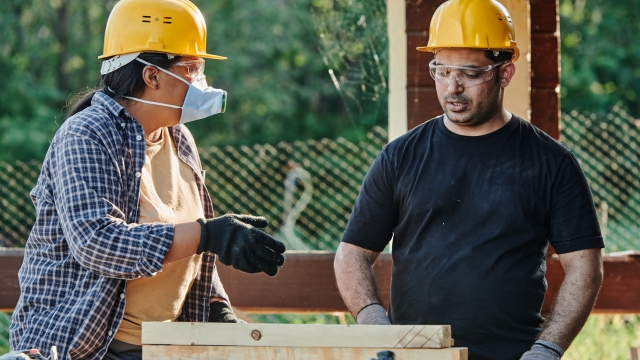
126, 81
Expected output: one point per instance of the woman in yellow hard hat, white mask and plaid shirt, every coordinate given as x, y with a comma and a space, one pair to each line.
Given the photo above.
125, 231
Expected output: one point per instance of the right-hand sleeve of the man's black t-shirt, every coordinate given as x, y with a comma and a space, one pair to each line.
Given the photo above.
573, 222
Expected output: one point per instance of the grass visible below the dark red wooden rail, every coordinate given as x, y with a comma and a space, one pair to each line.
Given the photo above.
603, 336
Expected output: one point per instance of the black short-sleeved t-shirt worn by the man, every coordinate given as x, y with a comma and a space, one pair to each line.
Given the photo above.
471, 218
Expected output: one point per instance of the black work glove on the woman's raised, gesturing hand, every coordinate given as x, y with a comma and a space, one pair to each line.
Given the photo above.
238, 243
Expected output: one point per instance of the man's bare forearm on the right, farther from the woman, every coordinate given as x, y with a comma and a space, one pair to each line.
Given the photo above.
576, 297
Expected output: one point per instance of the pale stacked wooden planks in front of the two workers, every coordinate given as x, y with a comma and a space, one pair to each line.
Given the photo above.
163, 340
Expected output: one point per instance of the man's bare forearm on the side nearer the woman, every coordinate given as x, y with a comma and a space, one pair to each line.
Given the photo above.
353, 266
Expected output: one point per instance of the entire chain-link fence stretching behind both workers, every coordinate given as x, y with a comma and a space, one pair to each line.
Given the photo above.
307, 188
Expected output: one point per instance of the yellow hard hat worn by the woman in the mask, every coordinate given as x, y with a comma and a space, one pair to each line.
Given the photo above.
174, 27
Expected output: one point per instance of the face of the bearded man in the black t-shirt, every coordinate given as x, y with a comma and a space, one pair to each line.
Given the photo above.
471, 105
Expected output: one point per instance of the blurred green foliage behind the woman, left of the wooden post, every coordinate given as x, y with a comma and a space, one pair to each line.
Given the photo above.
278, 83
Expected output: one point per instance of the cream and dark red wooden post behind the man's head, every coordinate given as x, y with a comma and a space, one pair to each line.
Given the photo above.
532, 95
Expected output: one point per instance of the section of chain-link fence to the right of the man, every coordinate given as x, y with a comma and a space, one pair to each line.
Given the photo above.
608, 149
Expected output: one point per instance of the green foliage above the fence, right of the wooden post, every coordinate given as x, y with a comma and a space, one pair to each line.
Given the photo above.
600, 48
